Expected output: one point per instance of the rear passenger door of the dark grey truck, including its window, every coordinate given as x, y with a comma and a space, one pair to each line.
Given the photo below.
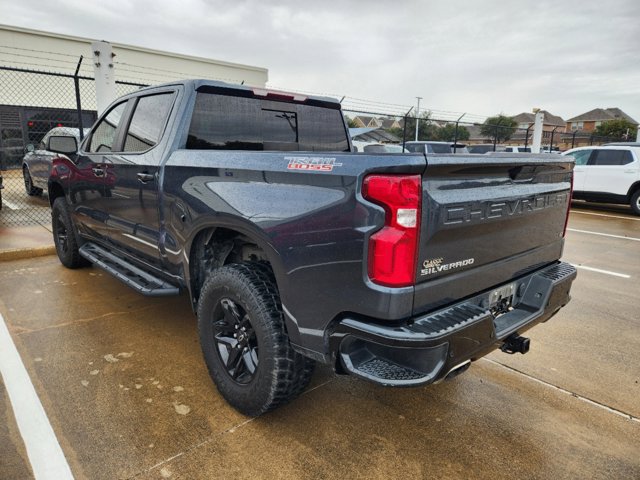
131, 179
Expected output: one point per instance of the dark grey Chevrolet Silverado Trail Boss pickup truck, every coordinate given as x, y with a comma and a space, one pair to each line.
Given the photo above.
400, 269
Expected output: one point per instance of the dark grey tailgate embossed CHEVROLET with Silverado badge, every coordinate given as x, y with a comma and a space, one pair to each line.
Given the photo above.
486, 220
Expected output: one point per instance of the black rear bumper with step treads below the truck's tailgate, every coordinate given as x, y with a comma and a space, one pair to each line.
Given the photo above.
427, 348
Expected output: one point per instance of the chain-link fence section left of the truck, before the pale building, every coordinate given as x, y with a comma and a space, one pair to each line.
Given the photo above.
32, 103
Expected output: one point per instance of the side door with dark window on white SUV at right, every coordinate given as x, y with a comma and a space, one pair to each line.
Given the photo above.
611, 171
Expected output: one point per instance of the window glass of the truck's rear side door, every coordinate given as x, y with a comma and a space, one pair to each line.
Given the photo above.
148, 121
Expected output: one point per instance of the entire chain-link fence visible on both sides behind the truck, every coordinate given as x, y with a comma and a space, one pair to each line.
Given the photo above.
33, 102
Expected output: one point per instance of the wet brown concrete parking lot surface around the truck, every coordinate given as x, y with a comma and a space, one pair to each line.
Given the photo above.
123, 384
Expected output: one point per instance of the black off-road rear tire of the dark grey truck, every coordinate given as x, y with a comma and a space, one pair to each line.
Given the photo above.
280, 373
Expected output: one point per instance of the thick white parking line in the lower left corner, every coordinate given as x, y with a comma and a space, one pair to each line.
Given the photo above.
44, 452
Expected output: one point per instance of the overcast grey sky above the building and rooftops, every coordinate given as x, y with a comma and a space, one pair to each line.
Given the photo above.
481, 57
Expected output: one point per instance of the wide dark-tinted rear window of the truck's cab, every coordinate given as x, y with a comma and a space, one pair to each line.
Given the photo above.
223, 122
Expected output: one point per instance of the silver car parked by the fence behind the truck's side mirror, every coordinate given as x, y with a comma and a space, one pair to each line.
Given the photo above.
36, 164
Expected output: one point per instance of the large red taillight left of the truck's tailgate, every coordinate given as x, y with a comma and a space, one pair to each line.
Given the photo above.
393, 250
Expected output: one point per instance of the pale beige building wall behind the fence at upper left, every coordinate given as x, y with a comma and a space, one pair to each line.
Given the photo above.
32, 49
